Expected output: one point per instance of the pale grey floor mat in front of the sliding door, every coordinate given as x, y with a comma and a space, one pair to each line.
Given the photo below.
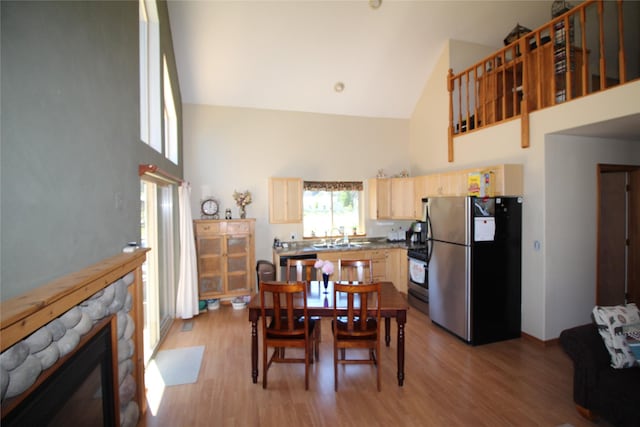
180, 365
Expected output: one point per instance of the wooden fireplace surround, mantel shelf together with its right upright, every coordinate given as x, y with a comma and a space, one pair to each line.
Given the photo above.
25, 314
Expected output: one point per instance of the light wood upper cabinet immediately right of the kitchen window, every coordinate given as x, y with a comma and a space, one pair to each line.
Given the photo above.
391, 198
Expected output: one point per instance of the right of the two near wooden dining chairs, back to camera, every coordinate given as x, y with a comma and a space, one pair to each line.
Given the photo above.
359, 328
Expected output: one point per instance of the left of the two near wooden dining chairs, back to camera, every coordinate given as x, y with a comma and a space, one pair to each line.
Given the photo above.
284, 329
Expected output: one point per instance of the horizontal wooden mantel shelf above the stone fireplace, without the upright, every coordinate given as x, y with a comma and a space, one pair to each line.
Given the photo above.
23, 315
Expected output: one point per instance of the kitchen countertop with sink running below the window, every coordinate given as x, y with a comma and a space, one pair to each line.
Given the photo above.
355, 244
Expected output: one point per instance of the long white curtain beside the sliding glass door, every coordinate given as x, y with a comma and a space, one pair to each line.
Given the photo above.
187, 299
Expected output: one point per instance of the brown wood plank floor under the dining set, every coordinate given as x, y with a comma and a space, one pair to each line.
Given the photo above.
447, 383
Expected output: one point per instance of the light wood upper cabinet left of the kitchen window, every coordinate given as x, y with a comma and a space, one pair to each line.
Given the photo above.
285, 200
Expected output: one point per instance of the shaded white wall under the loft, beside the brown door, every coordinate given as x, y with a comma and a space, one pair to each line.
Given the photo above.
571, 213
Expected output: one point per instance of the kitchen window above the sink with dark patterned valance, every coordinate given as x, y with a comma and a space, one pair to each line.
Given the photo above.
331, 209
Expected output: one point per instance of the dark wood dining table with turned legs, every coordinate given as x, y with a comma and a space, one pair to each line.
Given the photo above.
320, 302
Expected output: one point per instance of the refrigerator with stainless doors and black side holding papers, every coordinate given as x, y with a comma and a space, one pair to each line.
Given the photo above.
475, 246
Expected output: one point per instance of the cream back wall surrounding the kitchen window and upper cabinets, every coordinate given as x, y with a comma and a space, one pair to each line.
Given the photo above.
229, 149
